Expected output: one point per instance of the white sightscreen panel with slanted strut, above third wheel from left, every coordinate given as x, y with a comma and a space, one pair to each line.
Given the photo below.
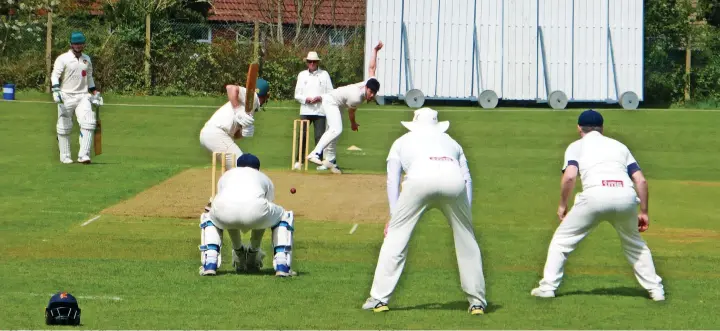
556, 25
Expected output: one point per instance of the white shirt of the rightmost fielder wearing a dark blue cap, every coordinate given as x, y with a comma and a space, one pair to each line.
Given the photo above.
601, 161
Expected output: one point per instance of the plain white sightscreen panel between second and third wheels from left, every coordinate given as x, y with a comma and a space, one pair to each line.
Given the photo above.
520, 50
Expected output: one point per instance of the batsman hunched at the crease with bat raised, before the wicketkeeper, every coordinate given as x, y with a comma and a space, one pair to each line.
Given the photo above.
225, 124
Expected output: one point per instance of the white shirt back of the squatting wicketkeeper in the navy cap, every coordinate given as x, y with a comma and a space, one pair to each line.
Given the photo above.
245, 183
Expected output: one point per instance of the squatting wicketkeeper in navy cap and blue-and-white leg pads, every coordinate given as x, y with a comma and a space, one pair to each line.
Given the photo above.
244, 202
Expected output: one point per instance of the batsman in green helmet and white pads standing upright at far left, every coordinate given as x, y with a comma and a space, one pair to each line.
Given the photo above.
73, 89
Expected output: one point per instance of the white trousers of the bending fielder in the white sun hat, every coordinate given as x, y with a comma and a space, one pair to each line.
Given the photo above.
443, 188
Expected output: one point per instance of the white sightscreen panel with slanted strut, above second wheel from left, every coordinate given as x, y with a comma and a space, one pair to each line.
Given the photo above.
489, 46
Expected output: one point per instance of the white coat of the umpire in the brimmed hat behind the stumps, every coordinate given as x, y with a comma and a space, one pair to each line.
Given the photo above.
310, 85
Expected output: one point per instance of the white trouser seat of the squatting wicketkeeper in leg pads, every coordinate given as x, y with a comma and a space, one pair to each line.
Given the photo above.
237, 213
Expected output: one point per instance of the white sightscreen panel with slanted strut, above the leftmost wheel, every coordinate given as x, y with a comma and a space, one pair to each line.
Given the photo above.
421, 22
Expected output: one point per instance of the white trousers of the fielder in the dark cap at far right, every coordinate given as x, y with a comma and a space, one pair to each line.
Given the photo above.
615, 205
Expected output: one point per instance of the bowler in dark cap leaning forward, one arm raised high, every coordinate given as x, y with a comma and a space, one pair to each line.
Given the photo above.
348, 96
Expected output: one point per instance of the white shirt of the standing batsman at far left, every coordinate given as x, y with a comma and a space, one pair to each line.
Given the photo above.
73, 74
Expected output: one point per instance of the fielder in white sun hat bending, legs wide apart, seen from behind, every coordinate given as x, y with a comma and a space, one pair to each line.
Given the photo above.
436, 175
